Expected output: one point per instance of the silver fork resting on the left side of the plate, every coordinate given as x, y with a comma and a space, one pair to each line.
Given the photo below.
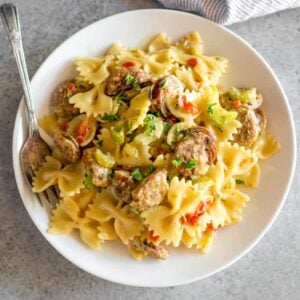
35, 149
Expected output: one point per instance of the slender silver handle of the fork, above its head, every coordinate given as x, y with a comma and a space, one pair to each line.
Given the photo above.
10, 18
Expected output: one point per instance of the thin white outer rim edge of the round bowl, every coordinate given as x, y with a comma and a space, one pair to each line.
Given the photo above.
15, 157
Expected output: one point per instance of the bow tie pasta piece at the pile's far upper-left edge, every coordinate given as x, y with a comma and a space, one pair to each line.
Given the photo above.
93, 70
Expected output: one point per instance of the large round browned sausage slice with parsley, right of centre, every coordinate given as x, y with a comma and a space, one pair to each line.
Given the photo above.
197, 151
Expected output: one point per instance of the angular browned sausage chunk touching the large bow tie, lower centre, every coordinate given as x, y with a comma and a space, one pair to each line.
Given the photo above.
151, 191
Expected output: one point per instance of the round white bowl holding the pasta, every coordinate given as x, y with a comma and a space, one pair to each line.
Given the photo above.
246, 69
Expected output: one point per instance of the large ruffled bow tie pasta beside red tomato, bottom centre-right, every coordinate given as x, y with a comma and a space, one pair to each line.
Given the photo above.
168, 221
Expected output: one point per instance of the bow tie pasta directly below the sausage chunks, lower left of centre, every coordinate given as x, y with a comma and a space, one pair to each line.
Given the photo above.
104, 208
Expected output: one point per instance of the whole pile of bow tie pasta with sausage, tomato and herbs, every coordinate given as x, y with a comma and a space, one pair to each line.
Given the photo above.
150, 150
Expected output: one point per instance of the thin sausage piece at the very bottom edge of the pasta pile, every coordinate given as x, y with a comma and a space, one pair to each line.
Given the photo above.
148, 248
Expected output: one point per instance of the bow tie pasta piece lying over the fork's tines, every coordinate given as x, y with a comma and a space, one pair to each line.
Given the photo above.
69, 179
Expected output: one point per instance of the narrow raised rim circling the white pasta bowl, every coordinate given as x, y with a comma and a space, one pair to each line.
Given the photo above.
16, 155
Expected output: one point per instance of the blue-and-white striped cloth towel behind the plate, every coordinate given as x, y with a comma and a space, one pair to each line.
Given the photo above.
231, 11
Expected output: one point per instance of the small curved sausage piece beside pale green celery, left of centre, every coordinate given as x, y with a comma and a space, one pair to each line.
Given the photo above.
100, 175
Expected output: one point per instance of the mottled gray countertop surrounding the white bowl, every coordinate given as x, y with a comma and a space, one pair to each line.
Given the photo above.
31, 269
